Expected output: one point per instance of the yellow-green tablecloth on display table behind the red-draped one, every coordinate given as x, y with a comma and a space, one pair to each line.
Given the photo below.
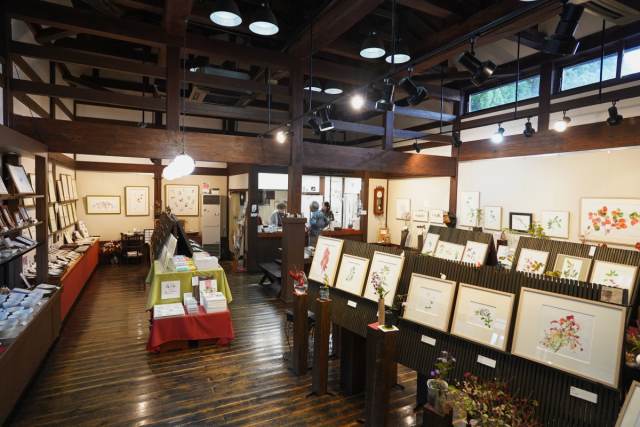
154, 278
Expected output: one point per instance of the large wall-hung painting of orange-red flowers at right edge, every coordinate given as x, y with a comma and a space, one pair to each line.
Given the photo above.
610, 220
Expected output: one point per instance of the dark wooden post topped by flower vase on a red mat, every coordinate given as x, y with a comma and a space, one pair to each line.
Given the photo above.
381, 348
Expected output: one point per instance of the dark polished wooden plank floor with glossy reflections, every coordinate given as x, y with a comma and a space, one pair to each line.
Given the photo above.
100, 373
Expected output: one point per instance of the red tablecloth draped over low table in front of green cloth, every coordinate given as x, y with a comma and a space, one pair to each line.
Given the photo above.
202, 326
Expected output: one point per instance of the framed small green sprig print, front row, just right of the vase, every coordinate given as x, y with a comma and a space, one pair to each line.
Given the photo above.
430, 301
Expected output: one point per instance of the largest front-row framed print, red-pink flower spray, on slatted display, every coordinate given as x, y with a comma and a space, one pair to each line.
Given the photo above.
578, 336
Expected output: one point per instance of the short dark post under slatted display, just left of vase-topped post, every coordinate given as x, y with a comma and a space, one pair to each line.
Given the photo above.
353, 350
